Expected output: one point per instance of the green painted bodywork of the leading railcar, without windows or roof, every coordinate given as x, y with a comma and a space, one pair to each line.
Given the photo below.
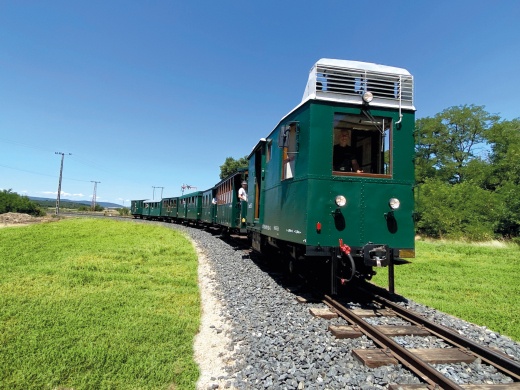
292, 208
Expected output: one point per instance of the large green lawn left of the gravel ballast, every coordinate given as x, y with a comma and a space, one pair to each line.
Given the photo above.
97, 304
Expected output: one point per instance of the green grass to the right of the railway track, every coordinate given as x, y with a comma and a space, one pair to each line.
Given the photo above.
479, 283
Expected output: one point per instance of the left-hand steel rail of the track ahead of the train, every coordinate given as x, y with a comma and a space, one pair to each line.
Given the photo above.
405, 357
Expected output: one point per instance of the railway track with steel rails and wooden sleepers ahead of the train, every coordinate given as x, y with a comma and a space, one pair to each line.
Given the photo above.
419, 361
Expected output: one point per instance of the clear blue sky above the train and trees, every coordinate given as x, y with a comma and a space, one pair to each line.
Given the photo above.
159, 93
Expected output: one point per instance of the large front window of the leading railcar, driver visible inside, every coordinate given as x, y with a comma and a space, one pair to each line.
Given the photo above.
361, 145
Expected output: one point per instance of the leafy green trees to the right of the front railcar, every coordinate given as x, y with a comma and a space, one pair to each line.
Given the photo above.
468, 175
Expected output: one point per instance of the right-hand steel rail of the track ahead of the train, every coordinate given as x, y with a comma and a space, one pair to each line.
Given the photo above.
501, 362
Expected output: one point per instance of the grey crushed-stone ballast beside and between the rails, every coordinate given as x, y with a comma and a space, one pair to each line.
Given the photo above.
272, 341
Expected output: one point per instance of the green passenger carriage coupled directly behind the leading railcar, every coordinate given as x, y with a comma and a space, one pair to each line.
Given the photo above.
231, 211
